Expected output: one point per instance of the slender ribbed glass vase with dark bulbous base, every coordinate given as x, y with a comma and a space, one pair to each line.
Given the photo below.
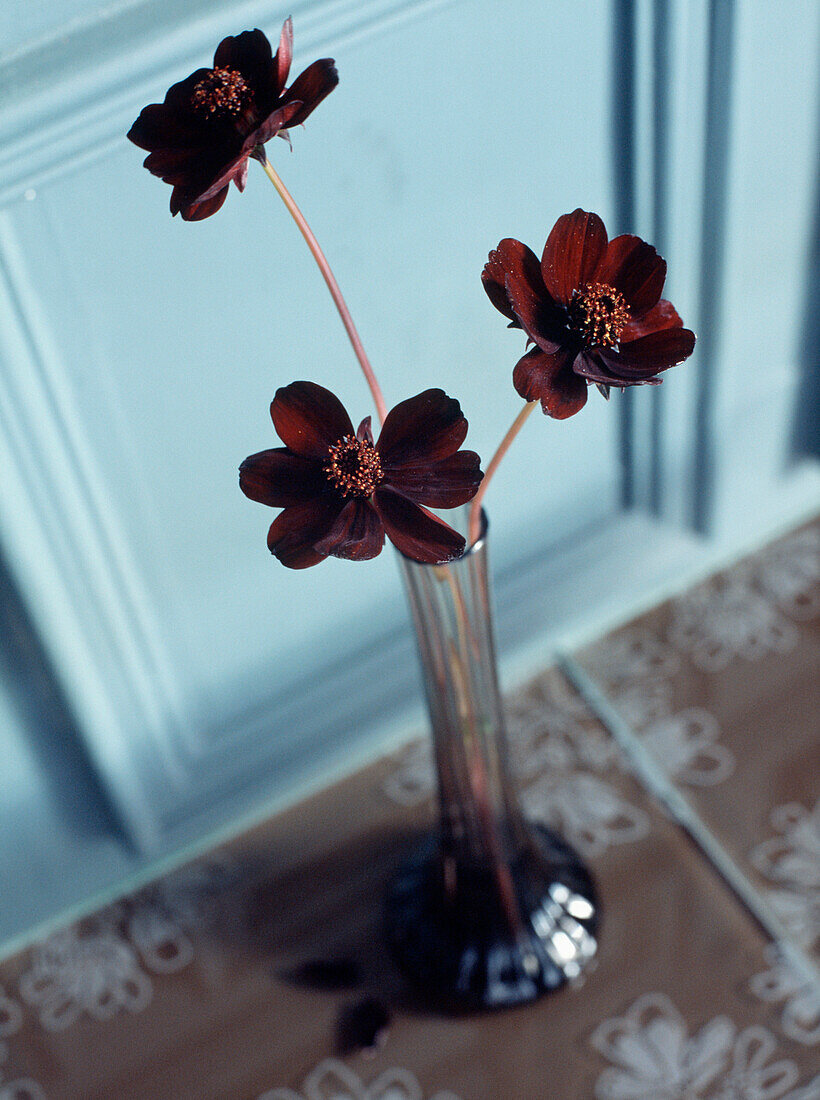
490, 911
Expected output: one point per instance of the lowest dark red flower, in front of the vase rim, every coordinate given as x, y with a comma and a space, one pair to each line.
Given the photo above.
342, 493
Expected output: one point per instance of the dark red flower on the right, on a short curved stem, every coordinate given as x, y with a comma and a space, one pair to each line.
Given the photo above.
592, 307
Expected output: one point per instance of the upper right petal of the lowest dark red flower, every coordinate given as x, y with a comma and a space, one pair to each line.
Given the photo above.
425, 428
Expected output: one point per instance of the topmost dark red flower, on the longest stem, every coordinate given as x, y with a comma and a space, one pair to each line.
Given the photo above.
201, 138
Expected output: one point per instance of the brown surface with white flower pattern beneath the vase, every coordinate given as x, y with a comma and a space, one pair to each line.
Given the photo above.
238, 976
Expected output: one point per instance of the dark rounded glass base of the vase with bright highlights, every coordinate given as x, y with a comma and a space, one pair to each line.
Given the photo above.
456, 944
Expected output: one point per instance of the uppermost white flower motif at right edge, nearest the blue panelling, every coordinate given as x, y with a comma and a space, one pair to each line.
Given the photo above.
789, 574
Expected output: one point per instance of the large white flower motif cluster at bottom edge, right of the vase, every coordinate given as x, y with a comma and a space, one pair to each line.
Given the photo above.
655, 1059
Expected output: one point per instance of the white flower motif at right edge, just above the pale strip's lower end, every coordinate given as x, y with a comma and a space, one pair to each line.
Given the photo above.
793, 863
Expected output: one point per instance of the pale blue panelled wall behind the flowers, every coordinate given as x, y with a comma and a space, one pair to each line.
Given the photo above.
162, 678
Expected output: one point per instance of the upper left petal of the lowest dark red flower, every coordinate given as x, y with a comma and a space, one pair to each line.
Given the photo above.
310, 420
